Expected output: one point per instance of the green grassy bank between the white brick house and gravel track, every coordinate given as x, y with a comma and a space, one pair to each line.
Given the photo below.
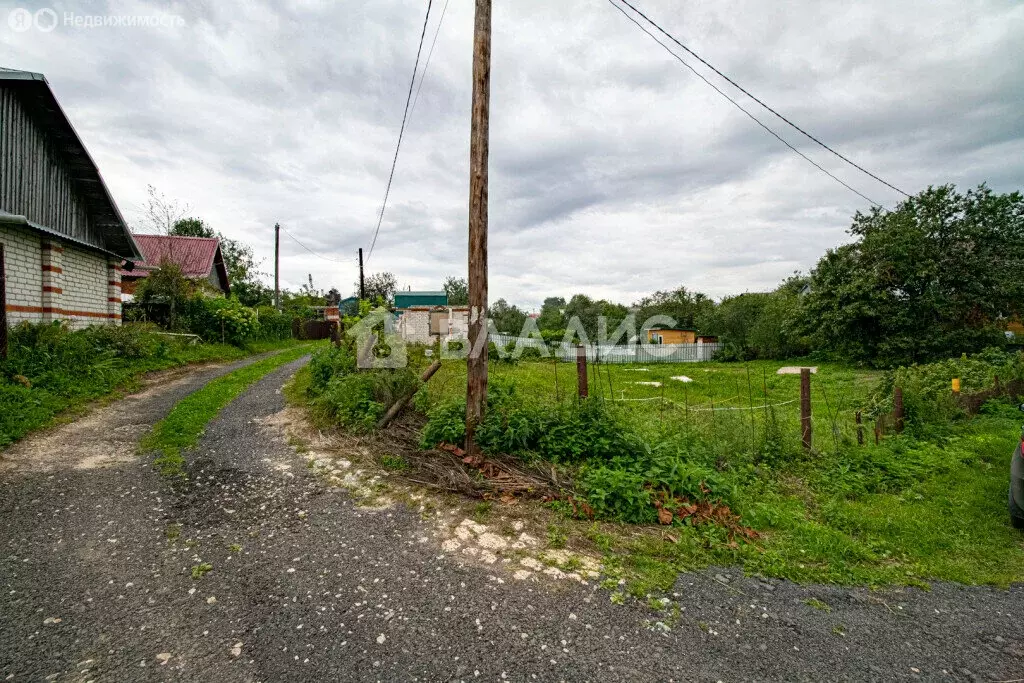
53, 393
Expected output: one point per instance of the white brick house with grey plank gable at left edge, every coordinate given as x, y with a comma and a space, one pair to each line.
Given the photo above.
63, 239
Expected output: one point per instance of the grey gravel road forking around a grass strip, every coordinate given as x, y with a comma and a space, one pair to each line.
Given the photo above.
254, 571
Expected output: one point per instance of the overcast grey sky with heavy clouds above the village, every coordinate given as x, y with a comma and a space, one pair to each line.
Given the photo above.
615, 172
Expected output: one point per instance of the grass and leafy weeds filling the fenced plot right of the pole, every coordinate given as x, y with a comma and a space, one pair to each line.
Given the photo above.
929, 504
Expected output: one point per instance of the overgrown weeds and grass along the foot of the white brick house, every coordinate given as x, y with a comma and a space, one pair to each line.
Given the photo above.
53, 370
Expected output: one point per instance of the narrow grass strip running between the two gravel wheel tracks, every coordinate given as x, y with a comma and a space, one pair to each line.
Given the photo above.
184, 426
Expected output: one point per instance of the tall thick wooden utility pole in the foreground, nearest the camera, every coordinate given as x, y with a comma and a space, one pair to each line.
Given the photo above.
477, 362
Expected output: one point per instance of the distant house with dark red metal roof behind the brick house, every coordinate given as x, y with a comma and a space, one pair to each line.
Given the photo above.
199, 259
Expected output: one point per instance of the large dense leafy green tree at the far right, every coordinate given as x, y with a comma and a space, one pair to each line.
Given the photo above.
930, 280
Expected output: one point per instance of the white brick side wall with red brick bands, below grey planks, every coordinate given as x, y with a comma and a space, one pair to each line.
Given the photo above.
50, 280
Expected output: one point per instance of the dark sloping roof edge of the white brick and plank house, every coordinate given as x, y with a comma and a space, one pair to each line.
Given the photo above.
41, 101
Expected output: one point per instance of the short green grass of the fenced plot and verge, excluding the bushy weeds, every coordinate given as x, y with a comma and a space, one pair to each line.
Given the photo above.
907, 513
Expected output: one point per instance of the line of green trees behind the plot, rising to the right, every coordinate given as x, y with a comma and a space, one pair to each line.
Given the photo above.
940, 276
